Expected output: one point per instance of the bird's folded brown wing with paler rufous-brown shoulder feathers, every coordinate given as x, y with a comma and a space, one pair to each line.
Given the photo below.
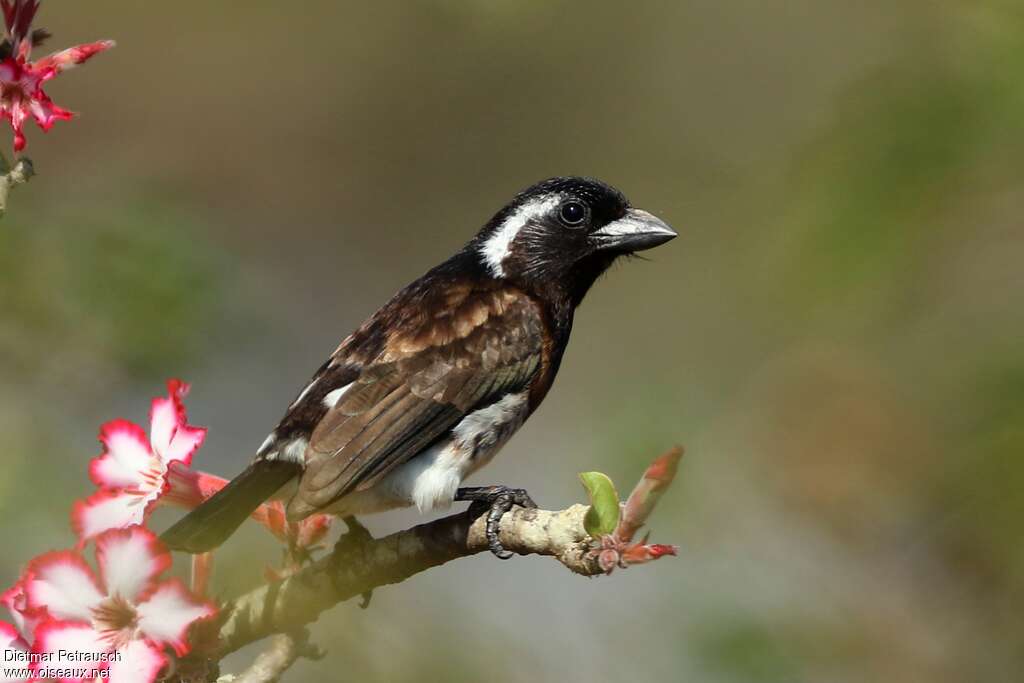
482, 347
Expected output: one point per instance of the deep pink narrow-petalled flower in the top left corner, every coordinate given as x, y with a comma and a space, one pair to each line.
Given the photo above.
22, 81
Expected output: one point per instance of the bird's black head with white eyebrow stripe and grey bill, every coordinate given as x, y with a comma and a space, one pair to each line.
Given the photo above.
558, 237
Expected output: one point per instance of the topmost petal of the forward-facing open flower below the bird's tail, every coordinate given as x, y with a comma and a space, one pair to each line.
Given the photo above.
131, 560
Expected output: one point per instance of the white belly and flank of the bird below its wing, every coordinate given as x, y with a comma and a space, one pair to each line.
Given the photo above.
431, 480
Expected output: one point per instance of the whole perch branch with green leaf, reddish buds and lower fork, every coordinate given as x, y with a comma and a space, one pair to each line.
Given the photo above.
588, 540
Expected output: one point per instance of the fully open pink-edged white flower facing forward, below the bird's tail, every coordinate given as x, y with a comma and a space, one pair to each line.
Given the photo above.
124, 610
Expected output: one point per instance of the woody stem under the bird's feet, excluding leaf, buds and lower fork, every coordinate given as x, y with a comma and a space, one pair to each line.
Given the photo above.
285, 606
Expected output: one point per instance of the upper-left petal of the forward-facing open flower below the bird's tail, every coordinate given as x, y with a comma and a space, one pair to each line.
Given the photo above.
64, 585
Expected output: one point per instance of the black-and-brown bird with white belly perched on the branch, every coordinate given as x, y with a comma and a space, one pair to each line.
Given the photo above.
433, 386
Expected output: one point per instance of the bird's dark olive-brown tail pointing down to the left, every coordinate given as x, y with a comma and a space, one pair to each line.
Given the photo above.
209, 526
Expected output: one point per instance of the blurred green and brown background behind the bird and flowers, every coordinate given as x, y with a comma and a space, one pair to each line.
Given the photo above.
838, 337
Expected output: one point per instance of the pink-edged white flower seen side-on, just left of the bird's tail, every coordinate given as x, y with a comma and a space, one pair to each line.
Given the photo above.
134, 473
